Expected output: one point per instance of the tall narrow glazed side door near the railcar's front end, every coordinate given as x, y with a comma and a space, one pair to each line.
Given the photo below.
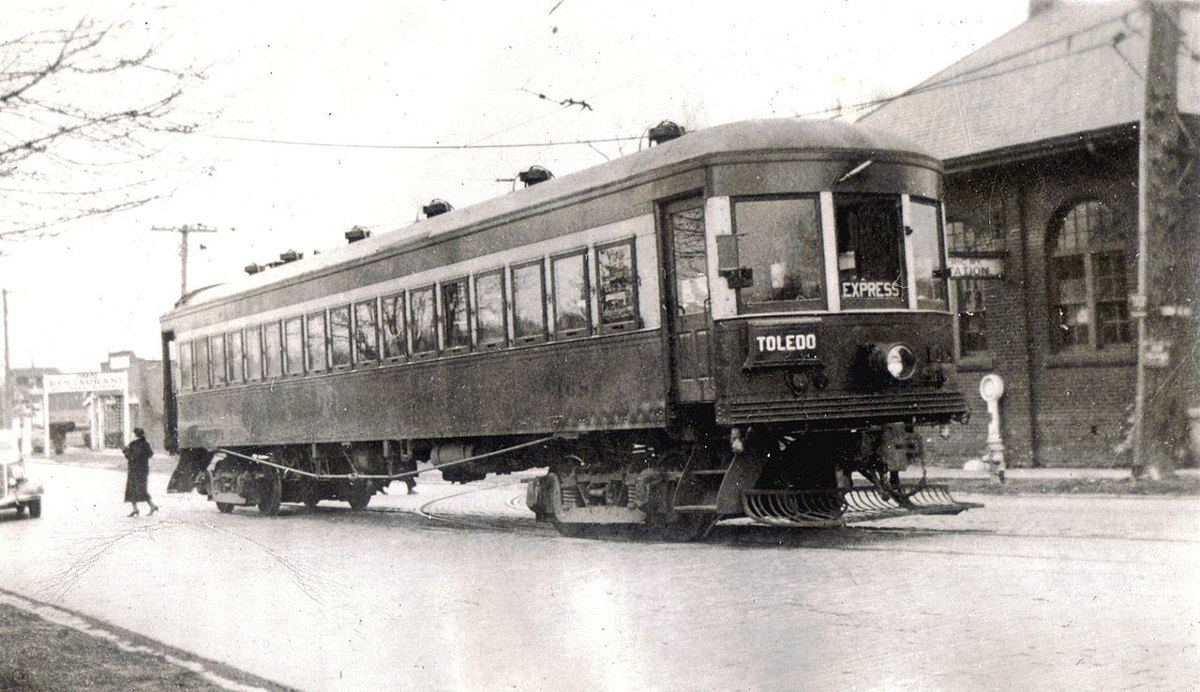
689, 321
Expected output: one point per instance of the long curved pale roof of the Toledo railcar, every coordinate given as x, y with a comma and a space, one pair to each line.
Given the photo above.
776, 135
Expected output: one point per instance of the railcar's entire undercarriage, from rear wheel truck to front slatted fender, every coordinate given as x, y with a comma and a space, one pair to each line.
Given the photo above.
640, 484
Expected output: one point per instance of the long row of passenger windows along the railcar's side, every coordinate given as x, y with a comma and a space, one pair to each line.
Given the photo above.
509, 306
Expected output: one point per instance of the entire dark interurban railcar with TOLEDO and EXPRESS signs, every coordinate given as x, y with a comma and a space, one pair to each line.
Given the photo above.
728, 324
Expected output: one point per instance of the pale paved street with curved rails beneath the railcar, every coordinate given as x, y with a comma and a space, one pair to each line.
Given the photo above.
1041, 593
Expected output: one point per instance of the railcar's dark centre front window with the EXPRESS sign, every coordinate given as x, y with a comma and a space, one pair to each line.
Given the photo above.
871, 251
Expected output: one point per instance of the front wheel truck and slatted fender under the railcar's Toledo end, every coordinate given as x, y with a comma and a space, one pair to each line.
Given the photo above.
679, 491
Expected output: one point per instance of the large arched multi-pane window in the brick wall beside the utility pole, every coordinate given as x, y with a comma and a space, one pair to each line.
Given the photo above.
1087, 278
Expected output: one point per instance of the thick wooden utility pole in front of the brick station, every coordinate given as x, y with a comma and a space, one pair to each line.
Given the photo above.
1168, 382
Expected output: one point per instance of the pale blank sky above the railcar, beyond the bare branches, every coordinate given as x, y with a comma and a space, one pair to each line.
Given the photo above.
308, 113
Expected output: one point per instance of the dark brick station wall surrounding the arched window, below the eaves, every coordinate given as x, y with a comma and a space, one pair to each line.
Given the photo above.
1061, 408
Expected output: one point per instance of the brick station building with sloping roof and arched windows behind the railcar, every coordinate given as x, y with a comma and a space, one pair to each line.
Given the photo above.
1049, 163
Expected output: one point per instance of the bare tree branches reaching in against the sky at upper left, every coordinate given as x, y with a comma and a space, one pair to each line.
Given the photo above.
85, 109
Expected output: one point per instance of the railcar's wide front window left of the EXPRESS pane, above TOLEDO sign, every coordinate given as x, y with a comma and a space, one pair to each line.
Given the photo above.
779, 240
